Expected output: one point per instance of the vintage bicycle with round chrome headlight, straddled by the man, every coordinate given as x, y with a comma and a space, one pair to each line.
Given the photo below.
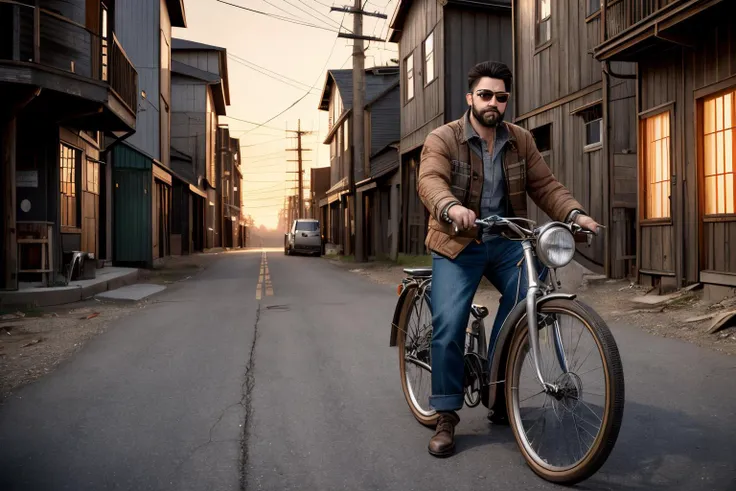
493, 374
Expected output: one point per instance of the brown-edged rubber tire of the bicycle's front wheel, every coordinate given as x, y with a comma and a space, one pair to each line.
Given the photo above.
614, 410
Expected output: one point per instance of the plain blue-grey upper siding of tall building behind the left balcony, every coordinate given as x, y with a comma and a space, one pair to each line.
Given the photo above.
137, 26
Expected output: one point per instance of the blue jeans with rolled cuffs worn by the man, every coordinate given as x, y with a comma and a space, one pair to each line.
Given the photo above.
454, 283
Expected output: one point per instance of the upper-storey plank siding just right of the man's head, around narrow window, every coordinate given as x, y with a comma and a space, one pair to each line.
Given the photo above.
564, 66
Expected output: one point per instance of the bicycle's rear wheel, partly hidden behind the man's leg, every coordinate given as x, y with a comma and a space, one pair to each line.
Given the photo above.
414, 342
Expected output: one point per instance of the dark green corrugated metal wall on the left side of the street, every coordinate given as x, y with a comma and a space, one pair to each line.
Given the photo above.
132, 180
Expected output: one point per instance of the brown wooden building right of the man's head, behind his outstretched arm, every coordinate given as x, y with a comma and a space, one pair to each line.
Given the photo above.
582, 116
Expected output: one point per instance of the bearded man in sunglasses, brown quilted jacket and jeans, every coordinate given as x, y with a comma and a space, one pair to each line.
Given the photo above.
478, 166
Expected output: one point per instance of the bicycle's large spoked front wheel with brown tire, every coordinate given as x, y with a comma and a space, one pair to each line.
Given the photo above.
565, 433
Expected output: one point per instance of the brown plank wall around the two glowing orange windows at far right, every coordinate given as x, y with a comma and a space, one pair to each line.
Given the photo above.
678, 76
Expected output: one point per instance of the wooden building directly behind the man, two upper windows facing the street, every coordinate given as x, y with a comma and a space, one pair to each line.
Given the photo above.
438, 44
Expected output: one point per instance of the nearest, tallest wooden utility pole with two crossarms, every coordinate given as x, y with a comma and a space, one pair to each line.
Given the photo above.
358, 130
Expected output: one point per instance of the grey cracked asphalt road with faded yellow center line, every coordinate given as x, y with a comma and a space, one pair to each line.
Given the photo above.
216, 388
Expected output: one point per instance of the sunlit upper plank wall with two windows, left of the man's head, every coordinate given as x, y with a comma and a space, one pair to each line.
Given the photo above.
424, 112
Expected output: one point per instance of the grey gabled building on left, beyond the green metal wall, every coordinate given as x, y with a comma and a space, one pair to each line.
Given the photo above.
200, 94
